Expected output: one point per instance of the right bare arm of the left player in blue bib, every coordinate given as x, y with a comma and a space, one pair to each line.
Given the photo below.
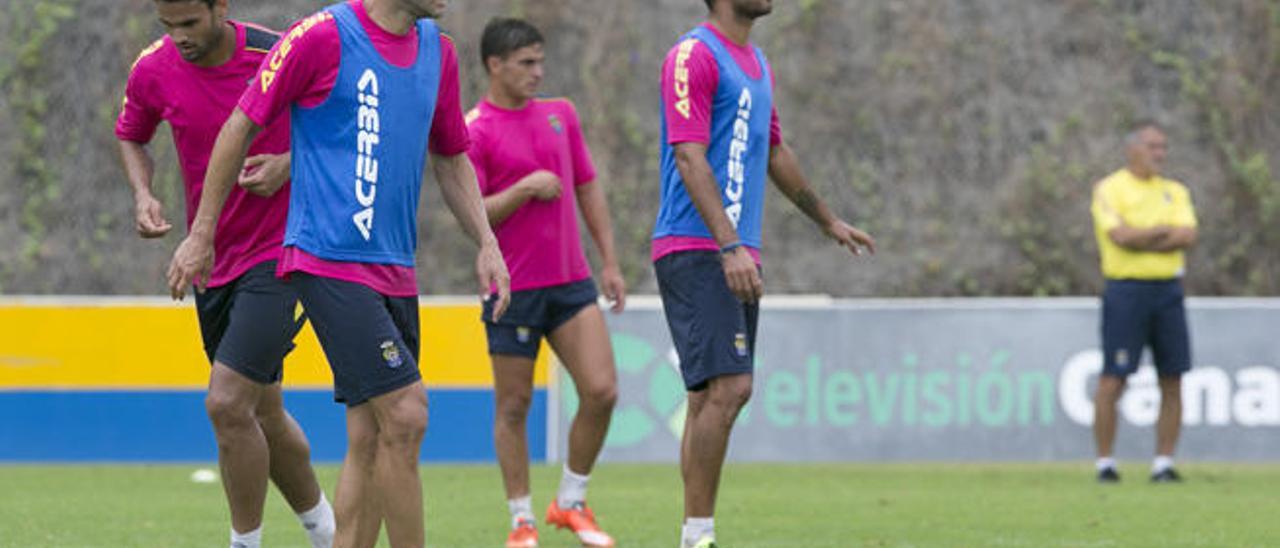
458, 180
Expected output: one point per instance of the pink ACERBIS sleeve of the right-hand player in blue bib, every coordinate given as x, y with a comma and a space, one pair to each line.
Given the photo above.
689, 80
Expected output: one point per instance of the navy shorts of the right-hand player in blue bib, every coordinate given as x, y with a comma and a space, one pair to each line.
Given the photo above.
715, 334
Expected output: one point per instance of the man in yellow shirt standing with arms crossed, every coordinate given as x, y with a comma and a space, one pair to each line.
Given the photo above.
1144, 225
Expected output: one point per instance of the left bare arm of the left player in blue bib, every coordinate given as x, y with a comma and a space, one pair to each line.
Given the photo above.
194, 259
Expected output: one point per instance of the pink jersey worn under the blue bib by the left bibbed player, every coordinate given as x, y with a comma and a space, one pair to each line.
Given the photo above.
303, 70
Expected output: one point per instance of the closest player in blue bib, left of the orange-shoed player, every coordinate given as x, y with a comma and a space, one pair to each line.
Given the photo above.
372, 89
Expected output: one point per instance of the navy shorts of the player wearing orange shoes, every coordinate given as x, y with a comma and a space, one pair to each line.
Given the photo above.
533, 314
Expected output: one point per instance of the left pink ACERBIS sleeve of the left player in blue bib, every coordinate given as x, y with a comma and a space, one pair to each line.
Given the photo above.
301, 68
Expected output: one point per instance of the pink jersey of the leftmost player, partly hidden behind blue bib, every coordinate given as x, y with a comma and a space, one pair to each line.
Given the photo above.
196, 102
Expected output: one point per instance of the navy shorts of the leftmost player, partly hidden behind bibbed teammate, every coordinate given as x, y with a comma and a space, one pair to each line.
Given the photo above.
249, 325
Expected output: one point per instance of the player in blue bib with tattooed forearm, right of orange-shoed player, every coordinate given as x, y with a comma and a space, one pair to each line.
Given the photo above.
721, 140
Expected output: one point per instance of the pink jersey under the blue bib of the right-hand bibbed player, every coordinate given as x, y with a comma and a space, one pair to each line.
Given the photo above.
703, 80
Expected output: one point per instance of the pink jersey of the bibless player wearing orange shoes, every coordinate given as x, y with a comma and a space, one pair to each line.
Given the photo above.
541, 240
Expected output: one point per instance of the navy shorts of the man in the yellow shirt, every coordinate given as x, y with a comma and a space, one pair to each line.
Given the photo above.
1137, 314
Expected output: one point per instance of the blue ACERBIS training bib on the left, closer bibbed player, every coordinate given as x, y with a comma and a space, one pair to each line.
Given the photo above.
359, 157
